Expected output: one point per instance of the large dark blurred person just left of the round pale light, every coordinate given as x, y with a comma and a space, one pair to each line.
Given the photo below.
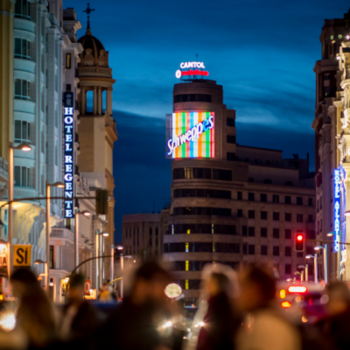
134, 324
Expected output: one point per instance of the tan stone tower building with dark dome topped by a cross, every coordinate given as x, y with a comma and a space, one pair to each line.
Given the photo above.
97, 128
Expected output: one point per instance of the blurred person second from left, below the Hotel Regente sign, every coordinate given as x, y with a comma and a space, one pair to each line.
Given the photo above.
79, 318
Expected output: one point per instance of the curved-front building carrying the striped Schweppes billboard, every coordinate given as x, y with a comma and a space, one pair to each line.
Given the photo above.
231, 204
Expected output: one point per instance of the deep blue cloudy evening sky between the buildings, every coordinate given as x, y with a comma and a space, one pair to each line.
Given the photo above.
262, 52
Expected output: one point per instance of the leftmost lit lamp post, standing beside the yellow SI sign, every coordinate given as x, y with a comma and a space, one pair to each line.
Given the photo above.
25, 148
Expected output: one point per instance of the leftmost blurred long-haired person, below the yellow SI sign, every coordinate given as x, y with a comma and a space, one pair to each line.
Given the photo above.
35, 314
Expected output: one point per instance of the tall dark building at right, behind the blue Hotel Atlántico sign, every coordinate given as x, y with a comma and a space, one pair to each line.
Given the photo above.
328, 129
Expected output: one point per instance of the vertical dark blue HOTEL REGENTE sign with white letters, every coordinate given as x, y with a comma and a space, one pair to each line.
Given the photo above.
68, 102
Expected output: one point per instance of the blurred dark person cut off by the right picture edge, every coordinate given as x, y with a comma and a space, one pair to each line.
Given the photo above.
334, 327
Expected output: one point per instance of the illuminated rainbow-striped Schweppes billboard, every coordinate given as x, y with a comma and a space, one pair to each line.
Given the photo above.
191, 135
